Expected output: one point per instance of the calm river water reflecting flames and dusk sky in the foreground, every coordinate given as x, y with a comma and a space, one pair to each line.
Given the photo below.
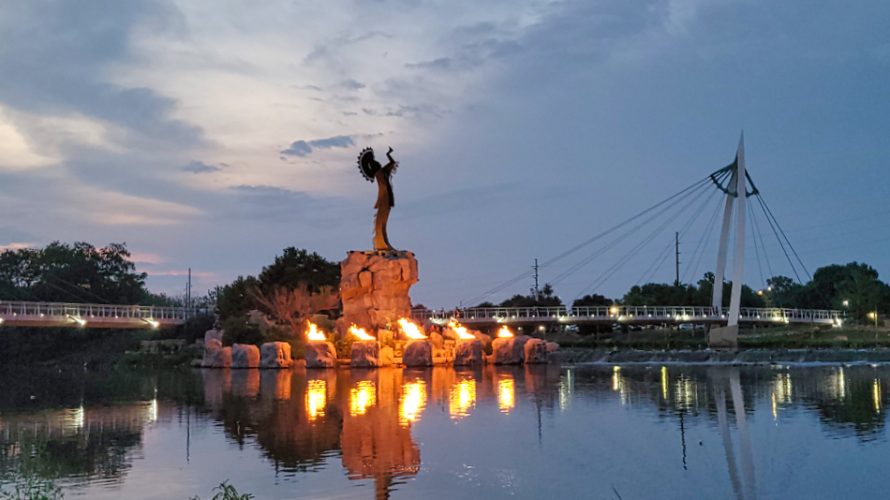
536, 432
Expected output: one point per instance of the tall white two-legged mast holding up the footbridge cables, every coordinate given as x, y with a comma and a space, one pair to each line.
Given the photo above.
727, 337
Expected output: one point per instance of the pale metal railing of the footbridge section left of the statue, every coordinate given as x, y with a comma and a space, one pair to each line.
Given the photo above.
86, 311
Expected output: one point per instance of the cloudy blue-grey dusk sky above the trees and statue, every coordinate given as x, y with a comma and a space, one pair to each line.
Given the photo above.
212, 134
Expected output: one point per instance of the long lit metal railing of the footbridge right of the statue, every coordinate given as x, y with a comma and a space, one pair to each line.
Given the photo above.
629, 314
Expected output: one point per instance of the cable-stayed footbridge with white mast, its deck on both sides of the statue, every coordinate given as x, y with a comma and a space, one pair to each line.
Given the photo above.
736, 197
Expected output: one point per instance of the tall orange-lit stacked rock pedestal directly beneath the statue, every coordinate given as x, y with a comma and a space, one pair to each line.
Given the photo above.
374, 288
